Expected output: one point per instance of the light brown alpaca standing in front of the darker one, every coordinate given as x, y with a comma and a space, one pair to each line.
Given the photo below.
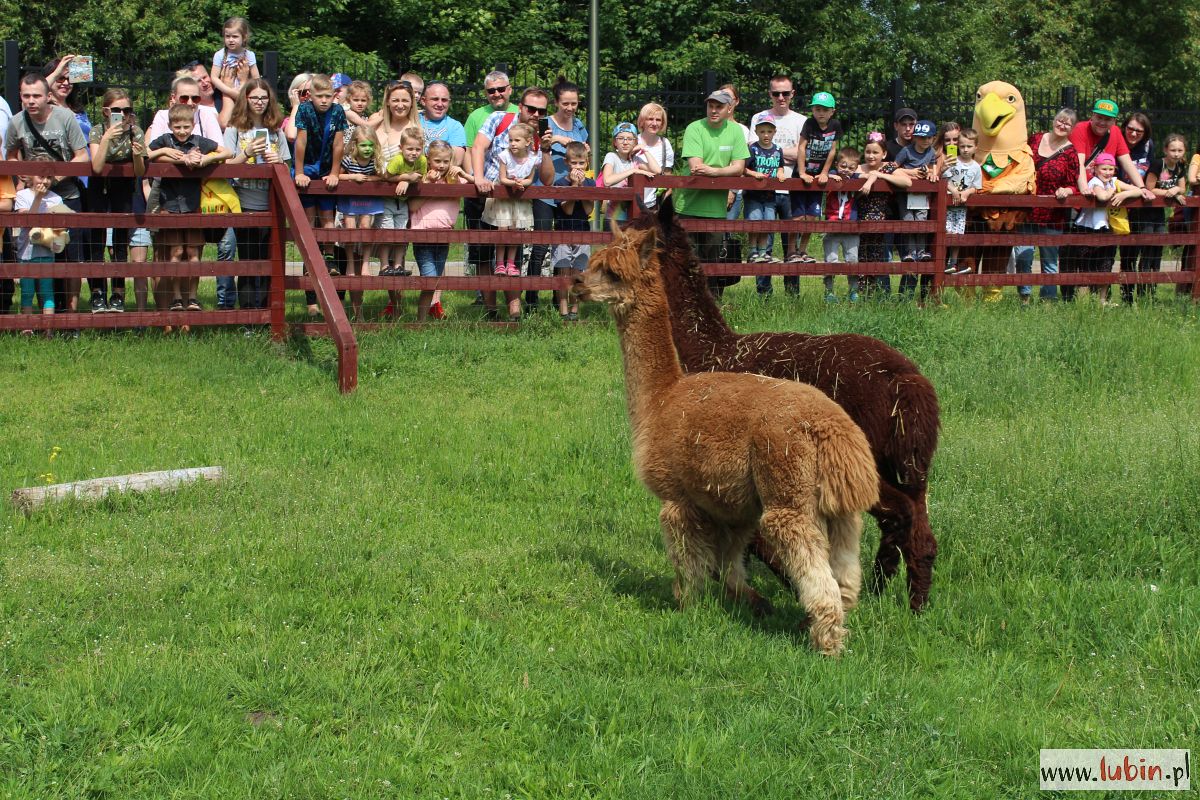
736, 456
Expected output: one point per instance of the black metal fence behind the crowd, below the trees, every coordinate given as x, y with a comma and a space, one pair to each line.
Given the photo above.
622, 97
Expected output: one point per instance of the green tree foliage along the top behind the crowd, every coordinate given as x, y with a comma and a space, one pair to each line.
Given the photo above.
856, 45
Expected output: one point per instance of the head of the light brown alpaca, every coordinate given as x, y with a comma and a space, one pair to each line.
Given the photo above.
625, 273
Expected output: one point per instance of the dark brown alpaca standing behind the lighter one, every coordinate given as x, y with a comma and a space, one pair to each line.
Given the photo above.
883, 392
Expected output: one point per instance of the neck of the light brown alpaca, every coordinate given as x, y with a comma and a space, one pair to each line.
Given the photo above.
651, 363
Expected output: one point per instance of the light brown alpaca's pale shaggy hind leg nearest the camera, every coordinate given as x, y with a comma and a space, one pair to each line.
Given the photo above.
805, 554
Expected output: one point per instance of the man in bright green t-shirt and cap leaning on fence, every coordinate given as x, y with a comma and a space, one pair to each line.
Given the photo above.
715, 148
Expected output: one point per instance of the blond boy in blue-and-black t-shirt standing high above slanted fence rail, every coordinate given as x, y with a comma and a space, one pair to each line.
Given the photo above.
320, 124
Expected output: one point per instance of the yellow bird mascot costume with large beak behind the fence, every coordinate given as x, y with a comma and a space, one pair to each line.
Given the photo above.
1007, 164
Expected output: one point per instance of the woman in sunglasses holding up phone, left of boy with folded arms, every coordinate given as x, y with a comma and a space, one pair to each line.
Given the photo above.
117, 140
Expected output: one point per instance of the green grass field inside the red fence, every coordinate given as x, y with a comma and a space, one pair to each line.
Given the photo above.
449, 585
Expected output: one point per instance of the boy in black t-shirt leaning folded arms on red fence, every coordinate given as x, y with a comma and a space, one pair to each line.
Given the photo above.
183, 148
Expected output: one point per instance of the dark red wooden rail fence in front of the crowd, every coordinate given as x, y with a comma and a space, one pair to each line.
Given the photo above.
287, 221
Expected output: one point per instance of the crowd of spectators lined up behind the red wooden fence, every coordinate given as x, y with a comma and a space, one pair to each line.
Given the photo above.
331, 131
